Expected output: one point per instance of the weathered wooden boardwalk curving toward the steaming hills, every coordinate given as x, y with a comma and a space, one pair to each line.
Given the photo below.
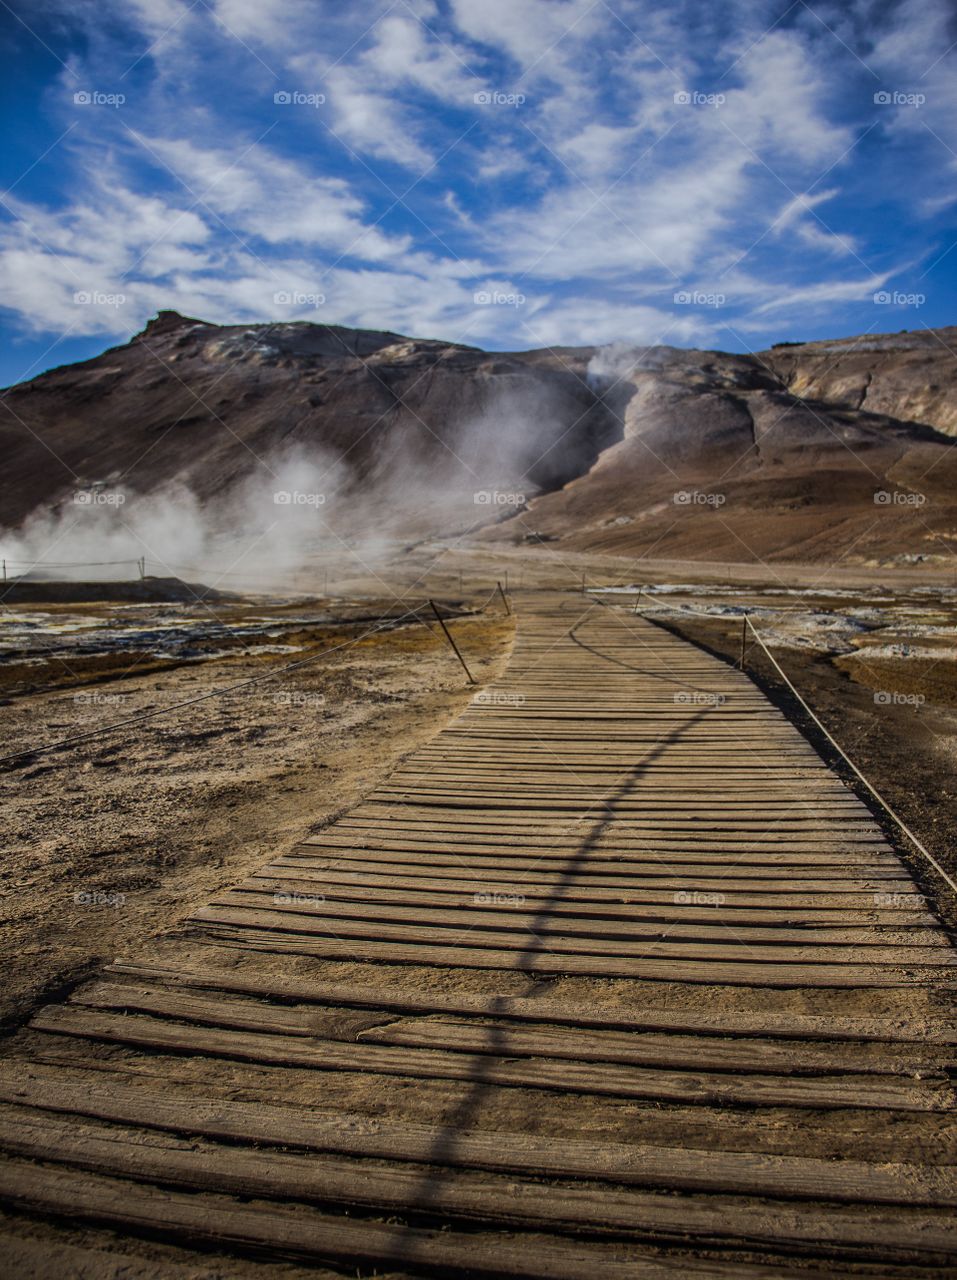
613, 979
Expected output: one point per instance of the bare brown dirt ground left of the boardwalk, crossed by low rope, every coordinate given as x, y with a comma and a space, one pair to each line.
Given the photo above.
121, 838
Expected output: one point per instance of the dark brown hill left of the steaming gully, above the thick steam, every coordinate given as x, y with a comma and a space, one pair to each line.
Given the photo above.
424, 426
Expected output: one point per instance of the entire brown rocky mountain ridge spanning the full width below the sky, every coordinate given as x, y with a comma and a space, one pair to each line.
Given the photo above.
808, 452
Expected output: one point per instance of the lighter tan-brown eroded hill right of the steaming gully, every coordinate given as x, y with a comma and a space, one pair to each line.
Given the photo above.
721, 459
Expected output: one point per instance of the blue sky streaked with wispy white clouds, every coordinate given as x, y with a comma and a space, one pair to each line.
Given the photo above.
506, 173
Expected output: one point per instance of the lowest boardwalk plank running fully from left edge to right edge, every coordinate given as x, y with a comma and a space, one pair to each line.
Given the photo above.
515, 1204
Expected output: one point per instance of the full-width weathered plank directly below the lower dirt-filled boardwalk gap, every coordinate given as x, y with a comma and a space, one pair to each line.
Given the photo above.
626, 1164
